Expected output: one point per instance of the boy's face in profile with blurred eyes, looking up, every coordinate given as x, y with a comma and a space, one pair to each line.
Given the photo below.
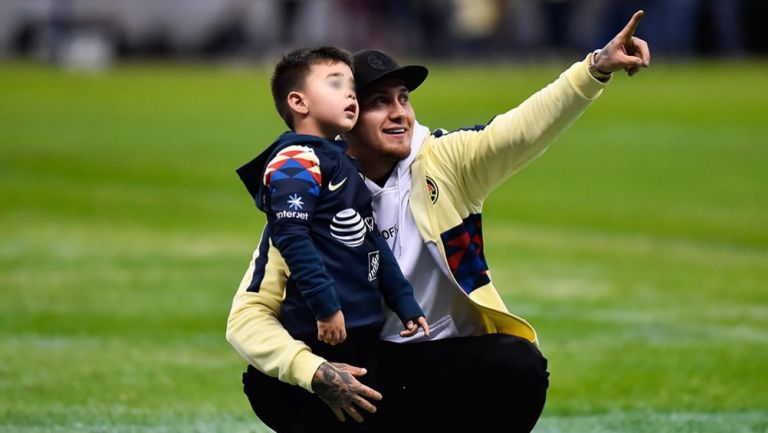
329, 92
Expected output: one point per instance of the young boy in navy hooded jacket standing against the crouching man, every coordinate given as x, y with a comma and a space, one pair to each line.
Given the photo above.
320, 216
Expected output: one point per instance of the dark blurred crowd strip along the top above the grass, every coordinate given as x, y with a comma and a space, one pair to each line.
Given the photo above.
101, 30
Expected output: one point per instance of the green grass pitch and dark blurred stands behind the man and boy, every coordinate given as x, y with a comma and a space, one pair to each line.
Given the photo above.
638, 245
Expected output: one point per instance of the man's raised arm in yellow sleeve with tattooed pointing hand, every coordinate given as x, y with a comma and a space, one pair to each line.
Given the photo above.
483, 159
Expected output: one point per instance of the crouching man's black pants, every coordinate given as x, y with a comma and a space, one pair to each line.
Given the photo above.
488, 383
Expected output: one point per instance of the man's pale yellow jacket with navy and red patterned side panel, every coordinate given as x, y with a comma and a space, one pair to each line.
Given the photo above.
465, 165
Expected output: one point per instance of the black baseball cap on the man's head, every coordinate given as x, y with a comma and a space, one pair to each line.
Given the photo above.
373, 66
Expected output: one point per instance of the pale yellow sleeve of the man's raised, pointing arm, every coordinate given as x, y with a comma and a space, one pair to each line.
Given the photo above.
486, 158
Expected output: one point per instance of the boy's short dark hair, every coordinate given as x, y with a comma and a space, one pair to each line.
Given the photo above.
292, 71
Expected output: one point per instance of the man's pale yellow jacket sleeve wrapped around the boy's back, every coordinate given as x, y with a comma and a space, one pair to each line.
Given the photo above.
254, 330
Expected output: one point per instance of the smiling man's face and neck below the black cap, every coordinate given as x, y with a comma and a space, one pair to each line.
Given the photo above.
385, 126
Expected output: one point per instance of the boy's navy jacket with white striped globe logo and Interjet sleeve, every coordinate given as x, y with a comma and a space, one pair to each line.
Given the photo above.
320, 218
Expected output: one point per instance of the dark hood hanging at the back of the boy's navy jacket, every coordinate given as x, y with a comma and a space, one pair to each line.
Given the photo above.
252, 172
